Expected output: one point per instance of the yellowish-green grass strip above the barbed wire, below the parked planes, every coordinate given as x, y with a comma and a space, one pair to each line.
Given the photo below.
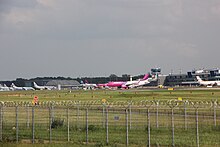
119, 95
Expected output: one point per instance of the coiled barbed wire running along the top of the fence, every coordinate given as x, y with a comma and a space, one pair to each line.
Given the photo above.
173, 103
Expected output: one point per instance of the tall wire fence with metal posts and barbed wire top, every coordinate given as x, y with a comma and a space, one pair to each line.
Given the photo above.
142, 123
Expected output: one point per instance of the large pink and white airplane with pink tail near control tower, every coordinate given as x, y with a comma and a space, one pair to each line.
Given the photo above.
123, 84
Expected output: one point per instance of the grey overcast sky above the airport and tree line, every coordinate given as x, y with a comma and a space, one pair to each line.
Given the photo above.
89, 38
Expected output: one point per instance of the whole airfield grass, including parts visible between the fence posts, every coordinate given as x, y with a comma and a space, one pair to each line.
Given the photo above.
137, 135
